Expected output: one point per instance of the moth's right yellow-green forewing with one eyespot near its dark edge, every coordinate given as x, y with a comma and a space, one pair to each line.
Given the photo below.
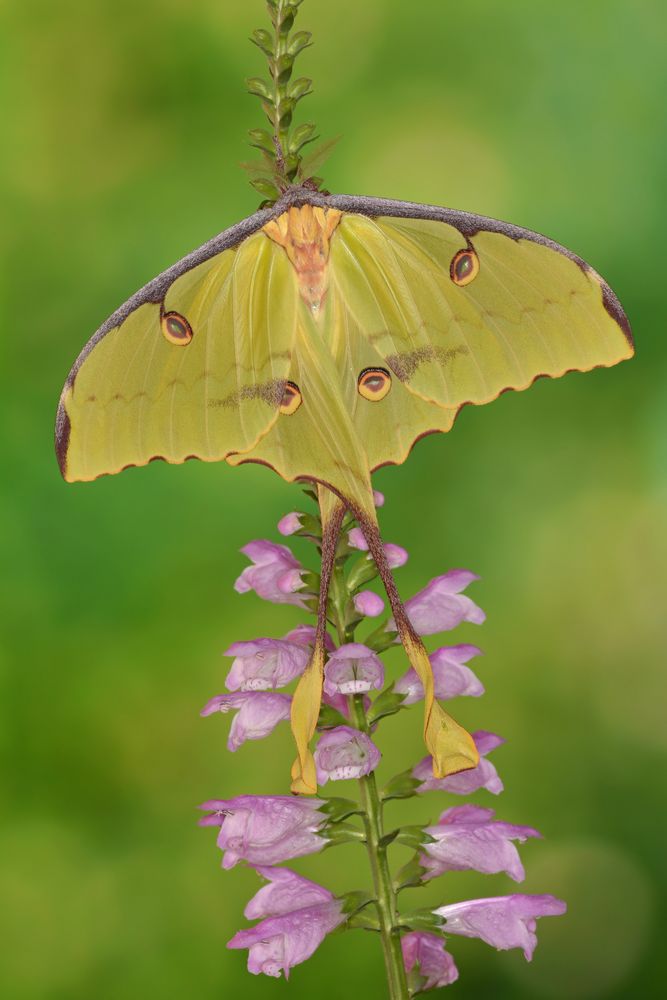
525, 308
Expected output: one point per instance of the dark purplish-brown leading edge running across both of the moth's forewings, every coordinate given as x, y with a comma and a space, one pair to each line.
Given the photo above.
467, 224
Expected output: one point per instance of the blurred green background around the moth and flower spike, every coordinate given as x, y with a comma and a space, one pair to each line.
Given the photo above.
123, 124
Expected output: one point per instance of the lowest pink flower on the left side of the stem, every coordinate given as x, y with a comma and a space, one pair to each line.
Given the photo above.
279, 943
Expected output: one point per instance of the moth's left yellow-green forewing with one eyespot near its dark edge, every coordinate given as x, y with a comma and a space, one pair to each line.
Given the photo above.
200, 373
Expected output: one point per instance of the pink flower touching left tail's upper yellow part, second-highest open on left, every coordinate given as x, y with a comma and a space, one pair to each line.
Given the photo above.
263, 664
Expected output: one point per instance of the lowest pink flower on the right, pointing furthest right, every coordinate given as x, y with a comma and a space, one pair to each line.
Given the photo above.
504, 921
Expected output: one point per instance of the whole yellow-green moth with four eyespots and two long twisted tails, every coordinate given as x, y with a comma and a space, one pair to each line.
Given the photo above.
323, 337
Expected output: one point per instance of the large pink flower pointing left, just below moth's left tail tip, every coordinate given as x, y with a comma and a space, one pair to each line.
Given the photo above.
265, 829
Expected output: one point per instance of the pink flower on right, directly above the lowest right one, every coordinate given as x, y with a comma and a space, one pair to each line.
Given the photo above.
467, 837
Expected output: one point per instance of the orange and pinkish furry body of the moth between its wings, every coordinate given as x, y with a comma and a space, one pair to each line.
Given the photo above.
305, 233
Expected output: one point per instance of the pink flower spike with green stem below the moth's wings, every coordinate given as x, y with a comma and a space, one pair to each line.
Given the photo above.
294, 914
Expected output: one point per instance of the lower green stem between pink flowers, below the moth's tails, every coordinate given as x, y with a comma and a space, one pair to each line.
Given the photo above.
382, 881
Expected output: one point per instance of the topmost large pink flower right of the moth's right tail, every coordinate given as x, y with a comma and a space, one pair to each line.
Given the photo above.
441, 606
